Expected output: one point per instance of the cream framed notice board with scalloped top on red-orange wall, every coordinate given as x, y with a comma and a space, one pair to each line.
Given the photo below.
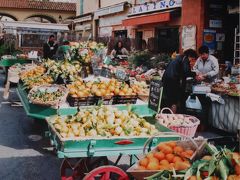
189, 37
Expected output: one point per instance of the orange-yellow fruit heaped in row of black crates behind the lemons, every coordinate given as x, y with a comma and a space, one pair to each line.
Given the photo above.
99, 88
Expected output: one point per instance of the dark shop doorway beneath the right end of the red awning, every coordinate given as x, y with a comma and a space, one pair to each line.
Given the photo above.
167, 40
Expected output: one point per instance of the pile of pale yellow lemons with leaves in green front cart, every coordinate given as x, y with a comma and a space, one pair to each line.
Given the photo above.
102, 121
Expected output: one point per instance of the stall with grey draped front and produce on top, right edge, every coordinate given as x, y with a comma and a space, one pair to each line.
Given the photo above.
226, 116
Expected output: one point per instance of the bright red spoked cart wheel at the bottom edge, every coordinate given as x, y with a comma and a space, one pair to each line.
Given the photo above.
107, 173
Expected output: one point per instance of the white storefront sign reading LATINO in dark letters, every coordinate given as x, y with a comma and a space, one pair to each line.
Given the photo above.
155, 6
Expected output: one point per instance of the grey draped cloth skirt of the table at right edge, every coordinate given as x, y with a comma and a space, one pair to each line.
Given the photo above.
226, 116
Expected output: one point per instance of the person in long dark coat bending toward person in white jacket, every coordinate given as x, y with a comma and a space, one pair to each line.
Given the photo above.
174, 80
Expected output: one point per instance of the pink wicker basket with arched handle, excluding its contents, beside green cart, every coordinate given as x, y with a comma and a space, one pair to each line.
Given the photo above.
187, 130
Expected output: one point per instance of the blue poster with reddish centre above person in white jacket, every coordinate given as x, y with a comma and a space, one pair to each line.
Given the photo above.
209, 39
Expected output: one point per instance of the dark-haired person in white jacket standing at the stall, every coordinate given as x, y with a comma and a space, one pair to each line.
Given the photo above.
206, 66
